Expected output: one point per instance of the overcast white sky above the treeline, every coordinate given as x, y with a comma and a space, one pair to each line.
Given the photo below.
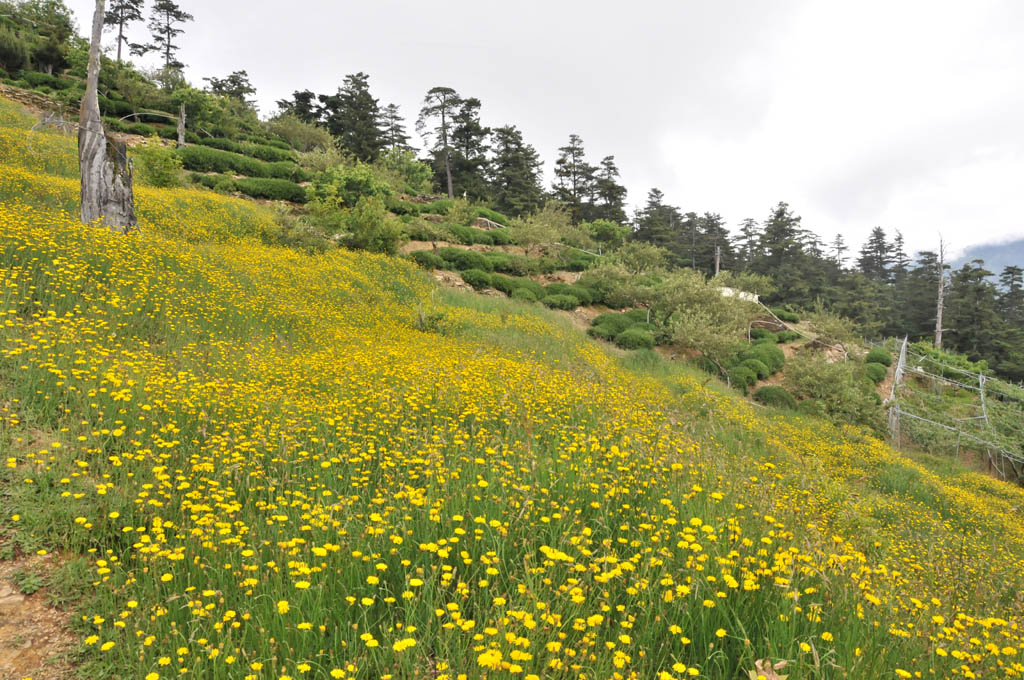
905, 114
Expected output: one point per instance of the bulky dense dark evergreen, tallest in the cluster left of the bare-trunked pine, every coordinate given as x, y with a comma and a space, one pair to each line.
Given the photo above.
354, 118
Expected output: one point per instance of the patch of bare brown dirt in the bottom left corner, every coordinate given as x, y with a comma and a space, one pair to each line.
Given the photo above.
36, 640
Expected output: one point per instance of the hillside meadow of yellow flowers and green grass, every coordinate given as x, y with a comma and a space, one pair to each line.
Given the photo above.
264, 464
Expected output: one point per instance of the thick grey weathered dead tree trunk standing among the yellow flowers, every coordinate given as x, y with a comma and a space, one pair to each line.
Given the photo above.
107, 187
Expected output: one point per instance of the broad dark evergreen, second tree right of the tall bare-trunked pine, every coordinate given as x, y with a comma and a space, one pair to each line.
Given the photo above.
516, 174
